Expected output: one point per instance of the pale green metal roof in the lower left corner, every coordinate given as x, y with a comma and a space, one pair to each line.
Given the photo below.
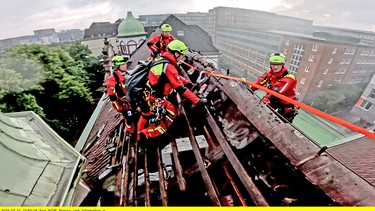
38, 168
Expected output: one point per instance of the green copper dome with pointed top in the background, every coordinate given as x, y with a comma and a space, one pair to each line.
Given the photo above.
130, 27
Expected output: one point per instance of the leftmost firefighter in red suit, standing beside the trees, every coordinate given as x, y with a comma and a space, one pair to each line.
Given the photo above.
115, 86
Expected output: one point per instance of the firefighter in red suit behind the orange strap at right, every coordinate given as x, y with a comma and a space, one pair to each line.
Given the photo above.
279, 80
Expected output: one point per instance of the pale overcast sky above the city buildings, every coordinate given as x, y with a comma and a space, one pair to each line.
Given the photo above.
21, 17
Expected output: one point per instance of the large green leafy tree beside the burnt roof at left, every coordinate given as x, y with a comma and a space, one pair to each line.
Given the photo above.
50, 82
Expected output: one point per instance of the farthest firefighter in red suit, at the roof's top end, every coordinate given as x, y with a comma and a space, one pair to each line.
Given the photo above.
158, 44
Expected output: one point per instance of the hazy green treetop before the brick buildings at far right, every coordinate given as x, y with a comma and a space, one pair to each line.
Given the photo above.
338, 97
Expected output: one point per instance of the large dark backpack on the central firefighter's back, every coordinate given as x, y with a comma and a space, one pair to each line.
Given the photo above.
136, 80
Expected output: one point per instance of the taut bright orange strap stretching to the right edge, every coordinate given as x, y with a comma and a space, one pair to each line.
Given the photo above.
301, 105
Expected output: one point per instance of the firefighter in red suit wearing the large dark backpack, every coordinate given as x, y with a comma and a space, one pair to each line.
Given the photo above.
163, 80
